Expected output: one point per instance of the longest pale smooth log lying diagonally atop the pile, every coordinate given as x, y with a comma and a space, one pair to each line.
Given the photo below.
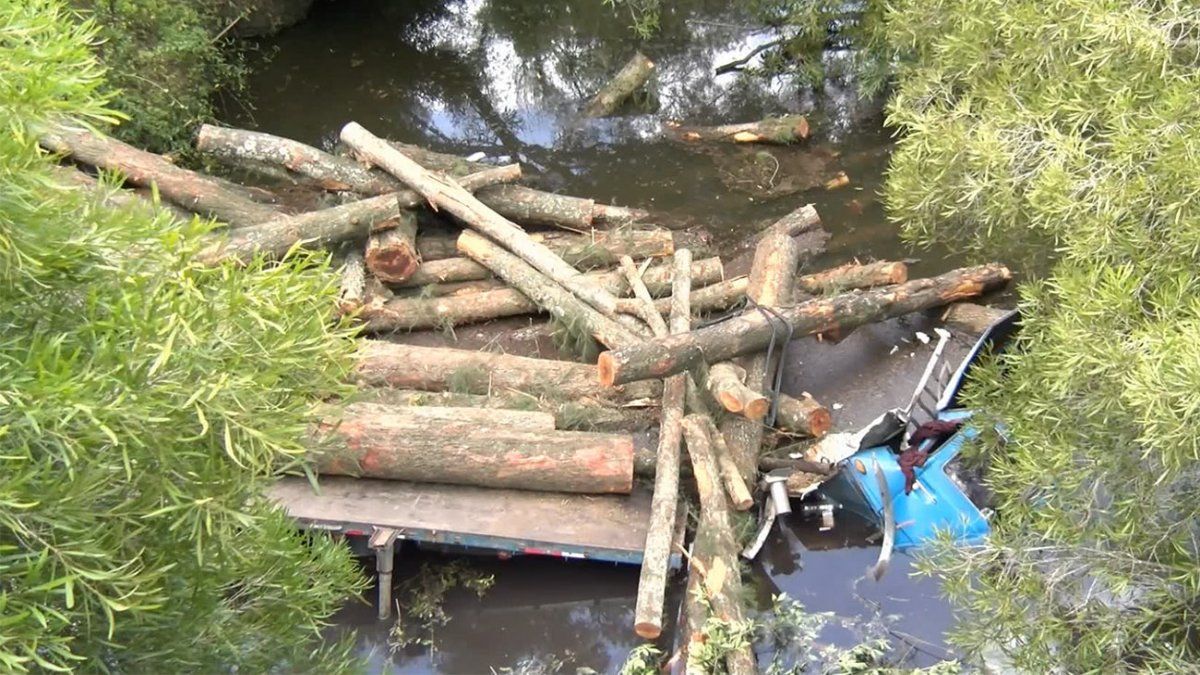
448, 195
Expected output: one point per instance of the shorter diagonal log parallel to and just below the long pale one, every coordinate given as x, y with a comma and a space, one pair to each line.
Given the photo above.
551, 297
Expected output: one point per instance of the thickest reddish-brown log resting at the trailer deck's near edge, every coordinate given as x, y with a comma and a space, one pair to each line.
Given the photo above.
389, 443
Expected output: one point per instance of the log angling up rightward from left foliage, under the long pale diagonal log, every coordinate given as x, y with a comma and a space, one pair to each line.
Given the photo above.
322, 229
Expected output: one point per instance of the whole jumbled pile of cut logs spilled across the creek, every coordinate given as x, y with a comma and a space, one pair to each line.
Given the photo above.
499, 421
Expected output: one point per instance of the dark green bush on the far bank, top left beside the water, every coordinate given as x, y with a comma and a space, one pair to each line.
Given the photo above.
169, 61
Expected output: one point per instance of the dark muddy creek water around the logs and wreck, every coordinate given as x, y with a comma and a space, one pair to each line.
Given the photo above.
505, 79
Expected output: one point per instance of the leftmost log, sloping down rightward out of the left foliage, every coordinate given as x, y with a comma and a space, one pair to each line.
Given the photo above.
194, 192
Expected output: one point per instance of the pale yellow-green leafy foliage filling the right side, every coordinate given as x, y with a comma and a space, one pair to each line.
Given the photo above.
1073, 124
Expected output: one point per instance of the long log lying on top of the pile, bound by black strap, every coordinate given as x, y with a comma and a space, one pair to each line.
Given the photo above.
752, 332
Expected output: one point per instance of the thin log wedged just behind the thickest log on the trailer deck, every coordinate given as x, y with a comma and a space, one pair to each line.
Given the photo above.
575, 415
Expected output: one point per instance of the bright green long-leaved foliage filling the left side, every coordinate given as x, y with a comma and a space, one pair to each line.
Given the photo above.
146, 402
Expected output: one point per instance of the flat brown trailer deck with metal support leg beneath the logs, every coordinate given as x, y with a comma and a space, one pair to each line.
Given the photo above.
500, 522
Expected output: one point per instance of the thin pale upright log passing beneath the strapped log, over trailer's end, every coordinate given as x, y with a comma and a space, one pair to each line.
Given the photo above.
661, 531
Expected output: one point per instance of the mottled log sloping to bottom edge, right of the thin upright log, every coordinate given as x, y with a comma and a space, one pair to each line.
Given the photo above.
715, 555
